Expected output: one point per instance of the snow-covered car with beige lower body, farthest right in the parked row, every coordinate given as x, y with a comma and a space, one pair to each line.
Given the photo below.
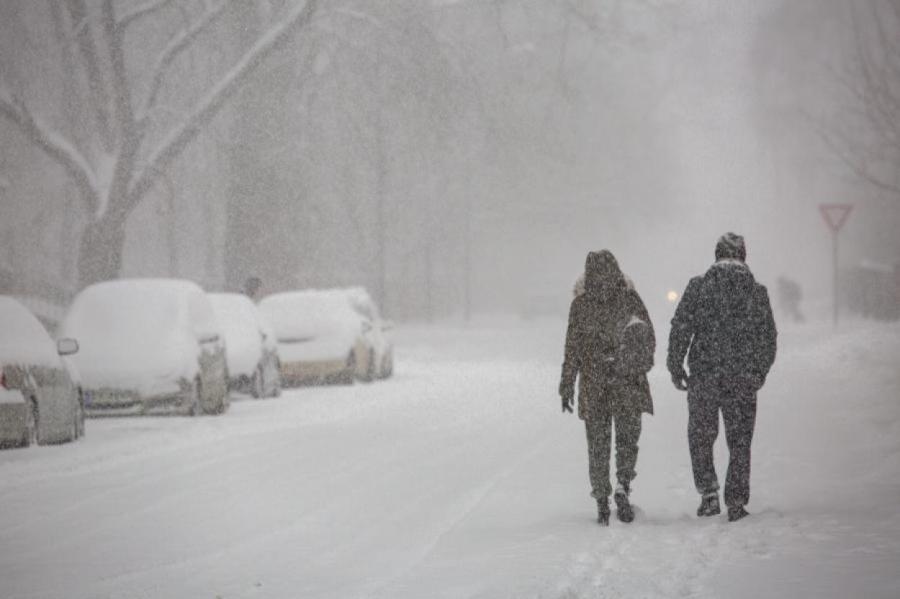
320, 337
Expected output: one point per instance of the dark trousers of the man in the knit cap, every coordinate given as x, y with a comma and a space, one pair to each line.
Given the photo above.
705, 400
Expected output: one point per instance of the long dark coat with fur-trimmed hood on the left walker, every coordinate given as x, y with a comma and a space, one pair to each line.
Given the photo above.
598, 317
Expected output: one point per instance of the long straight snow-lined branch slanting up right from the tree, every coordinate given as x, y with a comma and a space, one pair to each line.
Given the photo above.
175, 143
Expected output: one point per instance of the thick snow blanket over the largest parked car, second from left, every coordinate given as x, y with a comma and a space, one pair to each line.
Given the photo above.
138, 333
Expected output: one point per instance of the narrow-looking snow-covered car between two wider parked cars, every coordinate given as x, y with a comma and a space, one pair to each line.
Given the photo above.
250, 346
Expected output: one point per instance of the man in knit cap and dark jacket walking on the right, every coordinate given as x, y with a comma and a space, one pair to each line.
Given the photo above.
725, 318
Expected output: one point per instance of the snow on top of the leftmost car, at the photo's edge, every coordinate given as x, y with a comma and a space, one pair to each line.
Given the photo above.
24, 339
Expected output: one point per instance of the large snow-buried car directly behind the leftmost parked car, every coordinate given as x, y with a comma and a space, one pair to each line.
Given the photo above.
148, 346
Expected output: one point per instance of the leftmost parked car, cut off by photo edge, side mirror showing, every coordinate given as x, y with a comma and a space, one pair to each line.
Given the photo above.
39, 402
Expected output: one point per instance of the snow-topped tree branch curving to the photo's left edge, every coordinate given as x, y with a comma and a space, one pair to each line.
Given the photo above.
55, 146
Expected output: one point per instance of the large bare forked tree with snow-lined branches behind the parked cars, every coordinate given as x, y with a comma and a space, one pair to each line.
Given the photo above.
125, 108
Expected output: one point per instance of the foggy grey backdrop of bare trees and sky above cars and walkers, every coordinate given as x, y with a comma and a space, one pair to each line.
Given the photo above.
455, 157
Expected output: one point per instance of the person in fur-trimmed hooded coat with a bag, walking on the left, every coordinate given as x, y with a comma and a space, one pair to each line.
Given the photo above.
609, 348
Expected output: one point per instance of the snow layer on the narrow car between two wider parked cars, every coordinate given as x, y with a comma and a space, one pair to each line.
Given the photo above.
239, 320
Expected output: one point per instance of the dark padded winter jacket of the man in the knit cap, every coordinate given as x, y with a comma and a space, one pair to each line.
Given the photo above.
725, 318
